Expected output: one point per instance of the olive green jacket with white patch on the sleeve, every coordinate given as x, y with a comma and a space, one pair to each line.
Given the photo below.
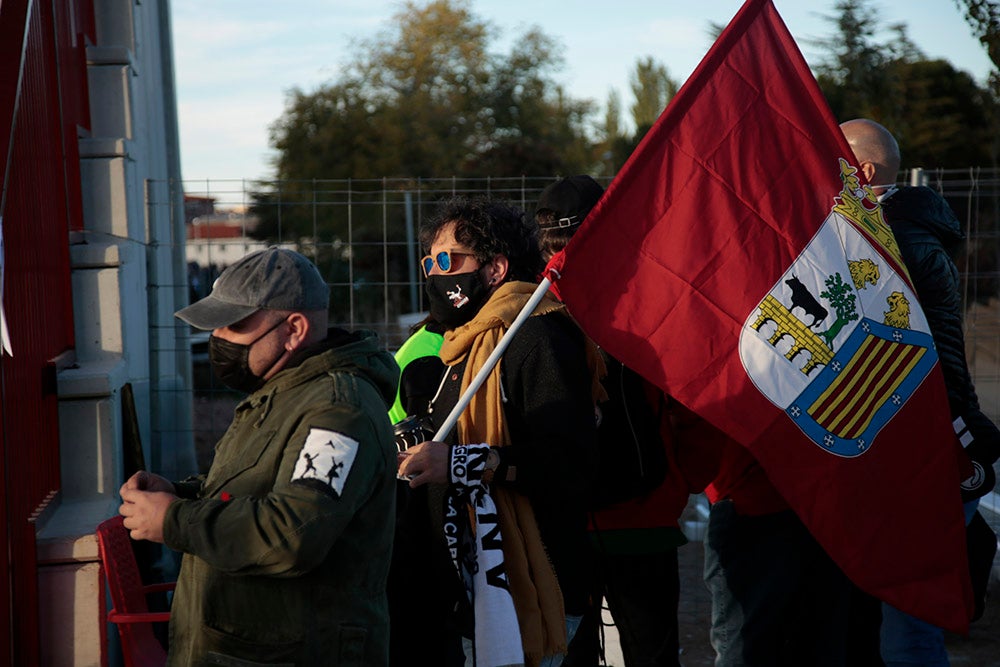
287, 540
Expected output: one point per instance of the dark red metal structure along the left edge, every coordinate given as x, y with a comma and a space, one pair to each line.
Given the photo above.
43, 112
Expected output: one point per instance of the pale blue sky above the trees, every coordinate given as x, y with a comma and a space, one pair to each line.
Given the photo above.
236, 59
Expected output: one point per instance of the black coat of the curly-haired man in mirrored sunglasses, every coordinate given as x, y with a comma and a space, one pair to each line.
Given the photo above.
550, 417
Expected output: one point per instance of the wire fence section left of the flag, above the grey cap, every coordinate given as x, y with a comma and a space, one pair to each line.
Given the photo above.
361, 234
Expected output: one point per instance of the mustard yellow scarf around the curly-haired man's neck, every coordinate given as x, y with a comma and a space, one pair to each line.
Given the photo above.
533, 585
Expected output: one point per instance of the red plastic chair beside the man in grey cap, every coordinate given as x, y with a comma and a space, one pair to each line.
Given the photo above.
130, 612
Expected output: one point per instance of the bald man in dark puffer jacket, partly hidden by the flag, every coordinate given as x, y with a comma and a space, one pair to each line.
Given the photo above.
928, 234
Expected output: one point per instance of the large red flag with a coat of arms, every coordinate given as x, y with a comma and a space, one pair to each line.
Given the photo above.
738, 262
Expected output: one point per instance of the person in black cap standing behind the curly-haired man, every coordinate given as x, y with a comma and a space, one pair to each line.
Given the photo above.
633, 523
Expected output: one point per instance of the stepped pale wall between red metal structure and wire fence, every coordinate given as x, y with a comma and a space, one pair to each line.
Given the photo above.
128, 278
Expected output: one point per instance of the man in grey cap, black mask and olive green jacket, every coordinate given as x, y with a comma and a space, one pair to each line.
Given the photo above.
287, 539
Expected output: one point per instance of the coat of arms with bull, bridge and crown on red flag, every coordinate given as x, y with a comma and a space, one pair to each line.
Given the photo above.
839, 343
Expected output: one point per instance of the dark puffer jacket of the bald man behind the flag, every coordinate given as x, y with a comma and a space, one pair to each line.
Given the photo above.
929, 234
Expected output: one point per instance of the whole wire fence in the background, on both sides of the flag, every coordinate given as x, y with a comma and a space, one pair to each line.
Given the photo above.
362, 234
